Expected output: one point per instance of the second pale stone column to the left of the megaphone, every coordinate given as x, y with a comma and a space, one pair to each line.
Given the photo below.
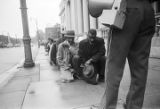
79, 16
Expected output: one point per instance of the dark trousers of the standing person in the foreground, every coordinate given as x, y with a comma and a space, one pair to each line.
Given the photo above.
133, 43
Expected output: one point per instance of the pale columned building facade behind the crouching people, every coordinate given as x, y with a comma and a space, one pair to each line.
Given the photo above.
75, 16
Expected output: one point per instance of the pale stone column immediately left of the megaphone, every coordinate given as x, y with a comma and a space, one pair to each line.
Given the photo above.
86, 23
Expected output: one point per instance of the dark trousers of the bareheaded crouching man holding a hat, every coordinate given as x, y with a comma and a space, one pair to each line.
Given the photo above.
99, 65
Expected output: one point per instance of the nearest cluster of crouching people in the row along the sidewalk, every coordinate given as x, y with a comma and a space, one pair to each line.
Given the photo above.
85, 60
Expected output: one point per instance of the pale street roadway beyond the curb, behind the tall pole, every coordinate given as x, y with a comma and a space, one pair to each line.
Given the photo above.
13, 65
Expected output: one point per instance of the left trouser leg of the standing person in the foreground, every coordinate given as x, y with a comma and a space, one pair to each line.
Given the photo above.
121, 42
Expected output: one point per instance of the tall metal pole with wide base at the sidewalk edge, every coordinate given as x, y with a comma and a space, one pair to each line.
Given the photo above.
26, 37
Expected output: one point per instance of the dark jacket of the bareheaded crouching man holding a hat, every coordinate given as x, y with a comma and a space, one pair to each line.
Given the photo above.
94, 51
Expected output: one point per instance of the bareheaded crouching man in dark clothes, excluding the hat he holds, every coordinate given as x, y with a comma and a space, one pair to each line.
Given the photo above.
91, 51
